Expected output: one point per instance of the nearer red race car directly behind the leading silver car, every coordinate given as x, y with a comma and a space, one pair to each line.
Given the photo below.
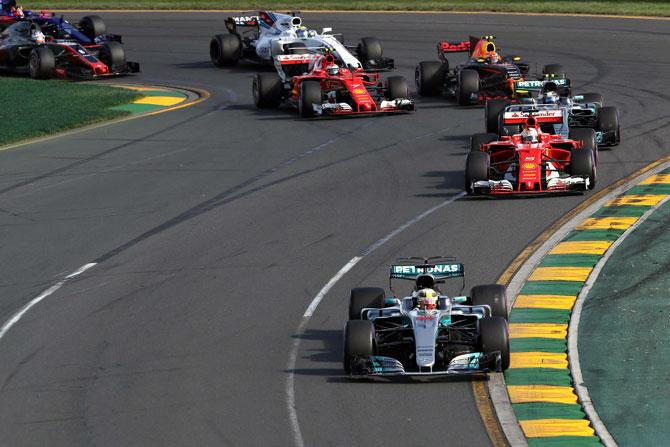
532, 162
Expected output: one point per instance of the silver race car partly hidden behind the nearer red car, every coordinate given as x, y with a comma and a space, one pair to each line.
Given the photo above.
564, 115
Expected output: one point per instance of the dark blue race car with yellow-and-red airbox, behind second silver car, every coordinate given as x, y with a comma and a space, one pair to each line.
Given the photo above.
486, 75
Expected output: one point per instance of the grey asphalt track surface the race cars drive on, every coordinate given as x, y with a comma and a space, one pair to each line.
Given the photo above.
214, 226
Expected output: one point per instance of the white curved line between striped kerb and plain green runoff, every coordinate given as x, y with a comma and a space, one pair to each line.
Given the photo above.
573, 333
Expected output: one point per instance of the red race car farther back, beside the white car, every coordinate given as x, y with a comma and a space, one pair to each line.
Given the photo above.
318, 87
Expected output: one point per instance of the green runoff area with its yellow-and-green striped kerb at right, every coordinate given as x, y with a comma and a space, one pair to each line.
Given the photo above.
571, 304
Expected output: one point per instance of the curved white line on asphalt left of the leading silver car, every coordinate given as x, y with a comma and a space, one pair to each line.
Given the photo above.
295, 348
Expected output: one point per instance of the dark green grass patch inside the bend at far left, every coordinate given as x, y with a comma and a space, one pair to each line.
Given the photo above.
36, 108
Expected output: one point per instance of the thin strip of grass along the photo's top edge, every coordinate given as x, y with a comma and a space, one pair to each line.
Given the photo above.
617, 7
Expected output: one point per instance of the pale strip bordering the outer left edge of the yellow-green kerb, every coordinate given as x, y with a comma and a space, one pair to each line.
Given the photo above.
496, 385
